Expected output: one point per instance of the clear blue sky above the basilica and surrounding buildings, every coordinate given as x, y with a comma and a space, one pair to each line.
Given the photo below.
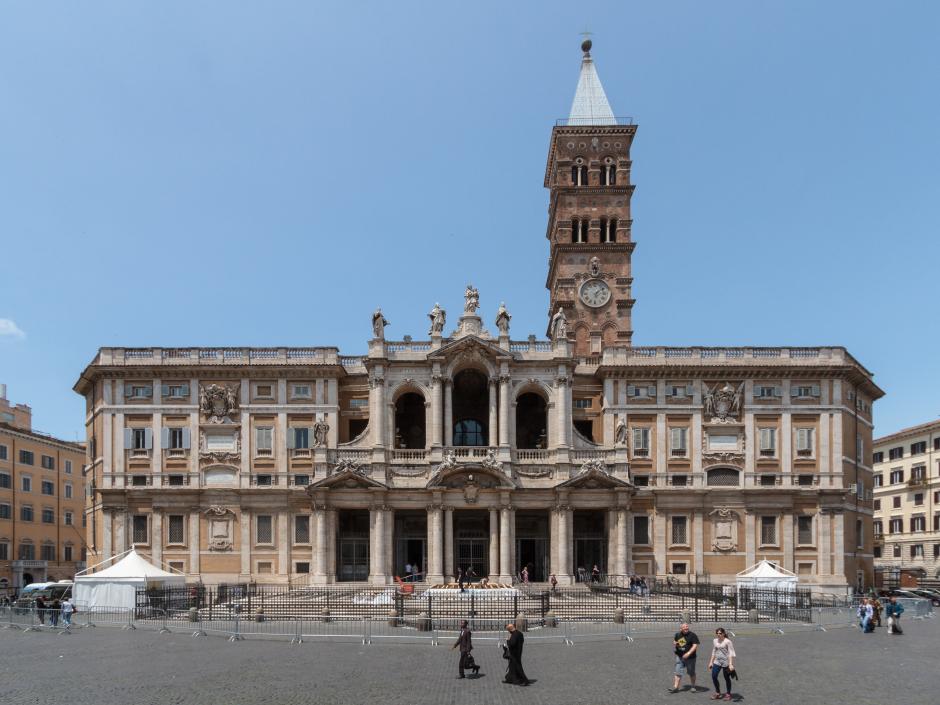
217, 173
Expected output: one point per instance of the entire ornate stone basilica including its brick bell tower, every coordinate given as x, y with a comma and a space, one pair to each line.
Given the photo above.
471, 449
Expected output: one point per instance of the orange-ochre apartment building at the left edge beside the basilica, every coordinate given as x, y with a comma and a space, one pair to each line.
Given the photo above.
41, 502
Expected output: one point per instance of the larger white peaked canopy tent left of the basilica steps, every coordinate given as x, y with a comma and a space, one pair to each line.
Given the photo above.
116, 586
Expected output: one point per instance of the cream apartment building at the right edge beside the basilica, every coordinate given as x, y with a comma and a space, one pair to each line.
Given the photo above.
907, 503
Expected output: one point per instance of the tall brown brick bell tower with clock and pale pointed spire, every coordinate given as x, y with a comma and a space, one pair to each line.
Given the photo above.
588, 177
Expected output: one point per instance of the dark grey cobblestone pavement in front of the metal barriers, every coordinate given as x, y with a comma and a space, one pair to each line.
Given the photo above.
104, 666
